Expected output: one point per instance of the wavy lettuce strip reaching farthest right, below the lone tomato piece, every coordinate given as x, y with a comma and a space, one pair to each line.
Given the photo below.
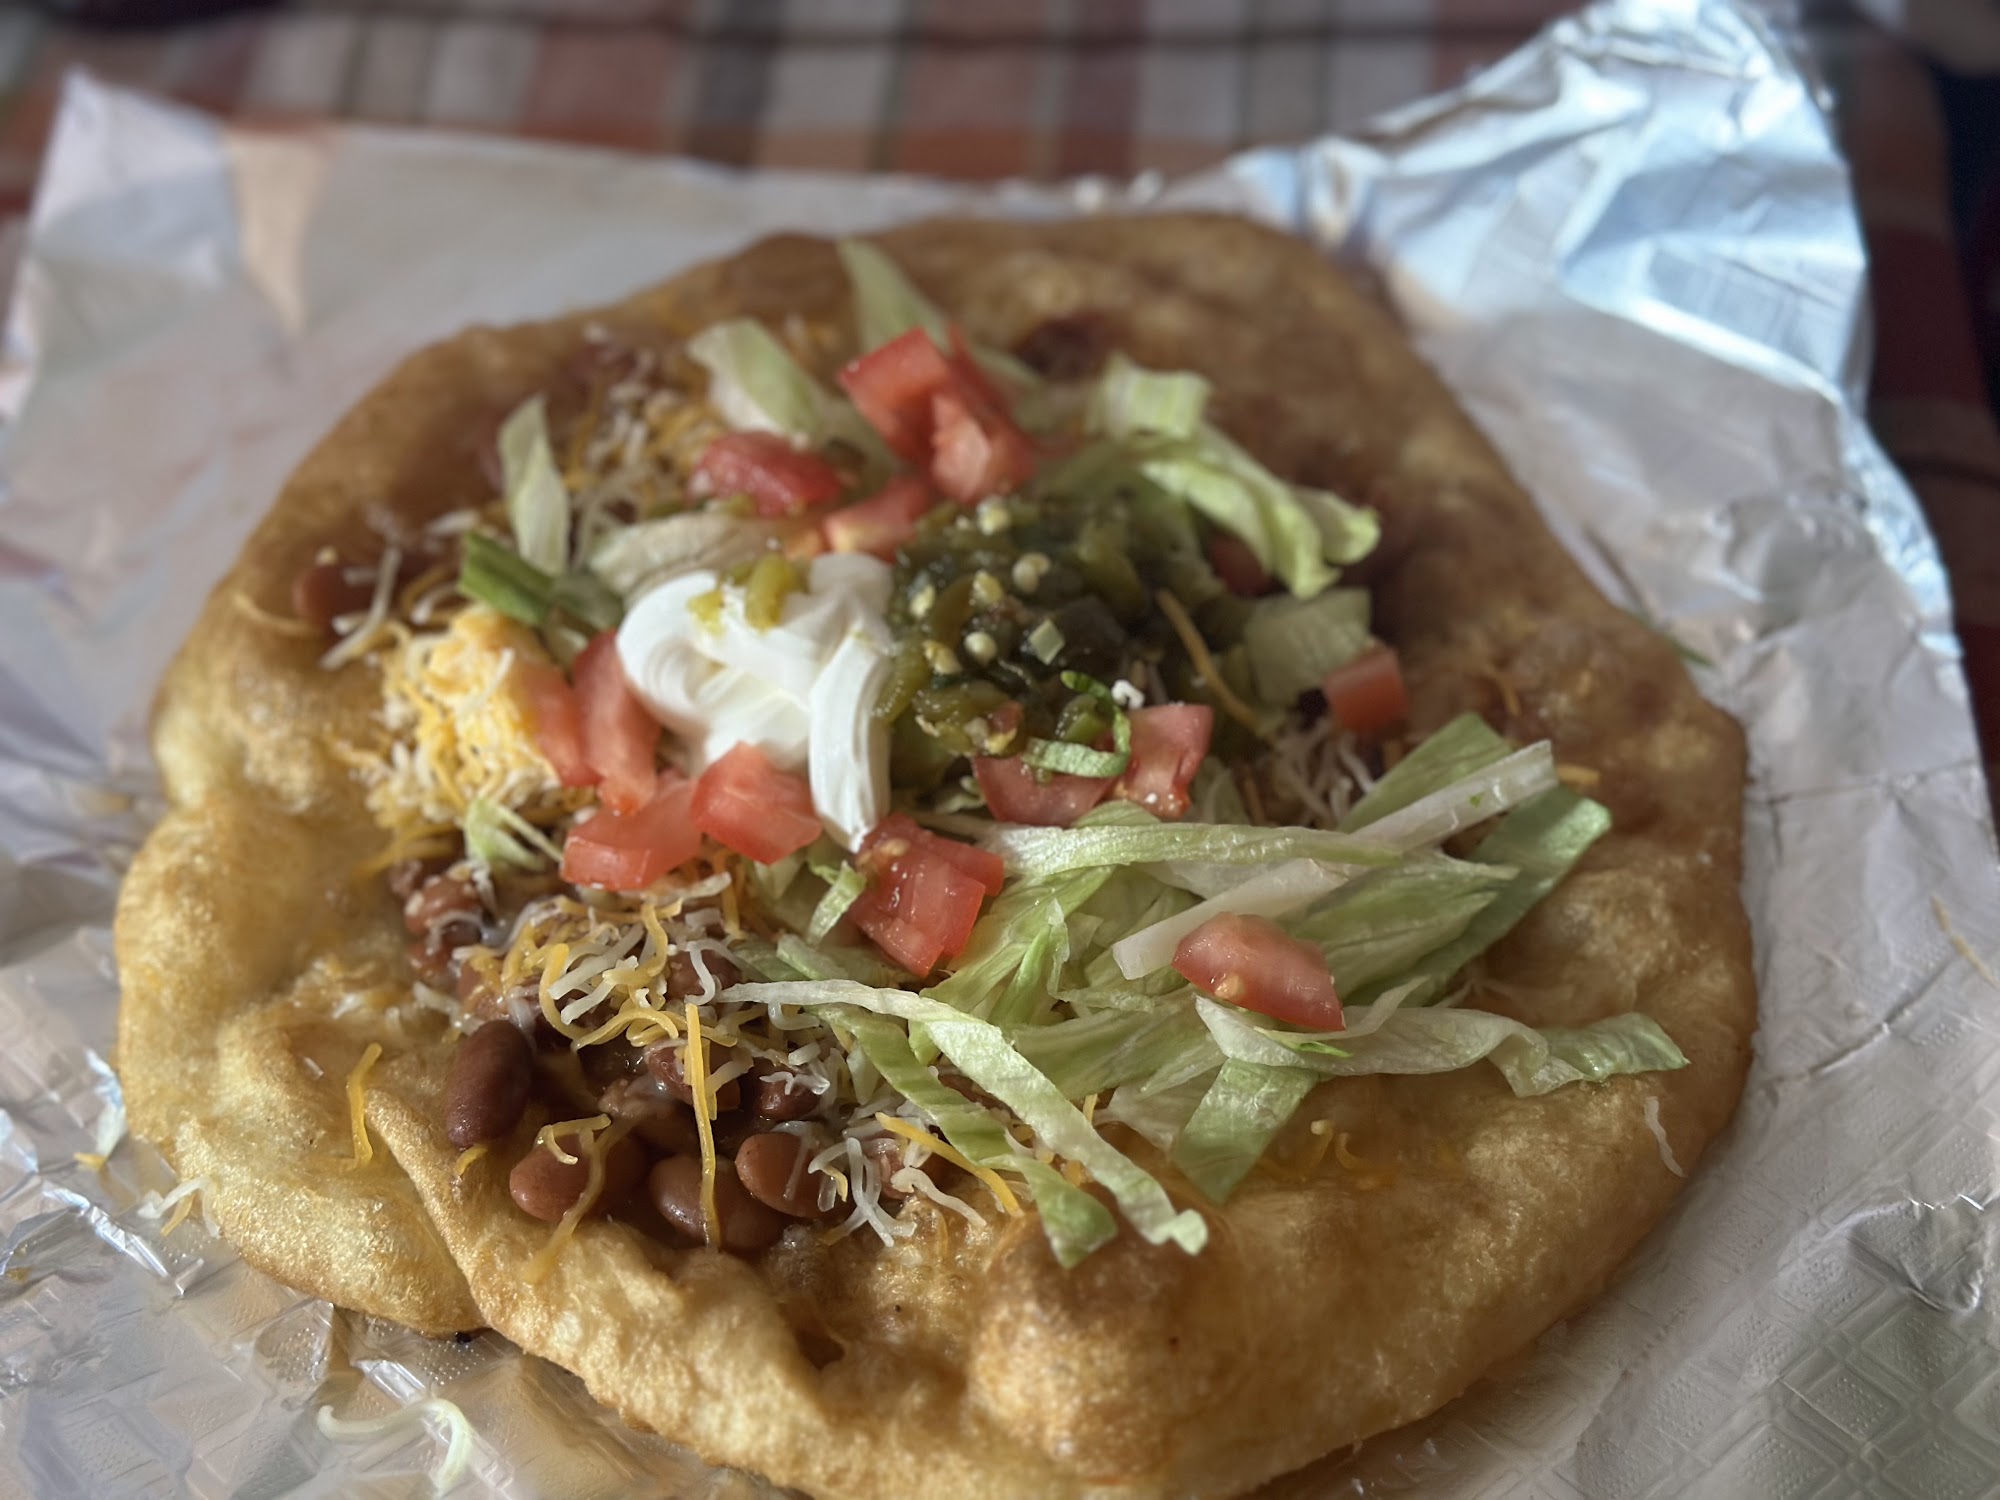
1427, 1039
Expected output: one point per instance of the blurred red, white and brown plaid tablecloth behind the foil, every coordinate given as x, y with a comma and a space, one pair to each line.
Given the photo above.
1045, 89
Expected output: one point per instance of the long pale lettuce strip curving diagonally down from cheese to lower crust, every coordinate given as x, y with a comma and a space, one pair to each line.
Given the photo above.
983, 1055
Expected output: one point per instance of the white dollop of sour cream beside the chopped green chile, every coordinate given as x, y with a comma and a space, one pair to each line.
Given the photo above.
801, 691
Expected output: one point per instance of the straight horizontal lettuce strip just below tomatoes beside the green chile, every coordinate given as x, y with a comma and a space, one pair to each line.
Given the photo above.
1039, 853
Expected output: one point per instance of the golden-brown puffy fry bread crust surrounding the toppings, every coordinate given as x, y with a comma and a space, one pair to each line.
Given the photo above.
1331, 1305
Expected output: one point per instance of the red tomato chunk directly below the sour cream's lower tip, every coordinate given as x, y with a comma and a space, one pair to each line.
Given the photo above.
925, 893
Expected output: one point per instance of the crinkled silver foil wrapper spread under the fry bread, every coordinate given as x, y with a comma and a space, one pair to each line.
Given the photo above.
1631, 249
